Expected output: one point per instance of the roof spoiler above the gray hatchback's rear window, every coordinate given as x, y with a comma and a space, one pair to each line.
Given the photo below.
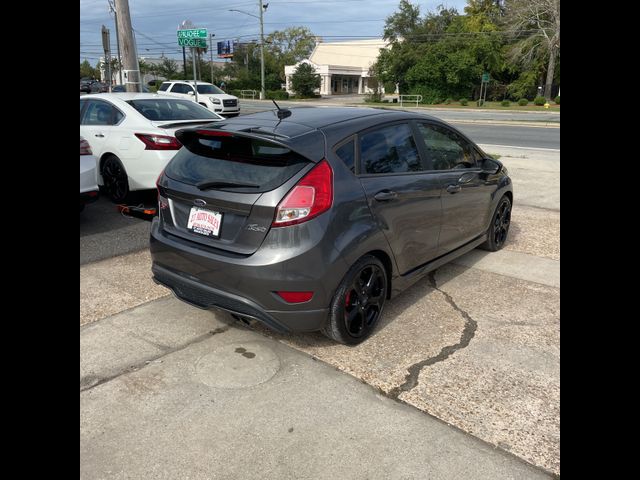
311, 146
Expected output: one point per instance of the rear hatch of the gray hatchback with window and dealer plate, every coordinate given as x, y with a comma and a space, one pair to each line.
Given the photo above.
222, 189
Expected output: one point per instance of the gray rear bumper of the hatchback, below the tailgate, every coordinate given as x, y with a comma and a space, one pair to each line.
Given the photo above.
245, 285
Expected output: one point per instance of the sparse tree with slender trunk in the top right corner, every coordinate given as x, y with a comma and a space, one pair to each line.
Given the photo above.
537, 26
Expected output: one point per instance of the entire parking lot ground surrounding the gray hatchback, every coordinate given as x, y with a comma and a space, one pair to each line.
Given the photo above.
461, 379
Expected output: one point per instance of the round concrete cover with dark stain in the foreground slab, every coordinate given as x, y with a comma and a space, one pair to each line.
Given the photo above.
238, 365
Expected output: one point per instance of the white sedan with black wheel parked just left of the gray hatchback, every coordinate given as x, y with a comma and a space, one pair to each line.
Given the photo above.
133, 136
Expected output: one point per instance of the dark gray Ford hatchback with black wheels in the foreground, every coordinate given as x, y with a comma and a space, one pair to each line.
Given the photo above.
311, 218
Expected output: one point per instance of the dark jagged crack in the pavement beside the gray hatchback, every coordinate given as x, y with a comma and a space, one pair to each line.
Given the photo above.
413, 372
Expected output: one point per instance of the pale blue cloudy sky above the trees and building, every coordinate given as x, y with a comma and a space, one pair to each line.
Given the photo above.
155, 21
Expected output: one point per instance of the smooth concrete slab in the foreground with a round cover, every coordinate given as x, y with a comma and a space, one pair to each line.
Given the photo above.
168, 391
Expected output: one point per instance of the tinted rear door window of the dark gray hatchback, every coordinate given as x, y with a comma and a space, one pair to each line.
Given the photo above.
390, 149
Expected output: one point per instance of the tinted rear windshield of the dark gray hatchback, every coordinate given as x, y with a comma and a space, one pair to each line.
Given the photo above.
238, 160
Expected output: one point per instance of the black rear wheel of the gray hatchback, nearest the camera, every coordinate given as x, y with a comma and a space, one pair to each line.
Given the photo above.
358, 302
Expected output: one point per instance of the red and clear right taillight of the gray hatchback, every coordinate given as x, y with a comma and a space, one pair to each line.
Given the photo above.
311, 196
